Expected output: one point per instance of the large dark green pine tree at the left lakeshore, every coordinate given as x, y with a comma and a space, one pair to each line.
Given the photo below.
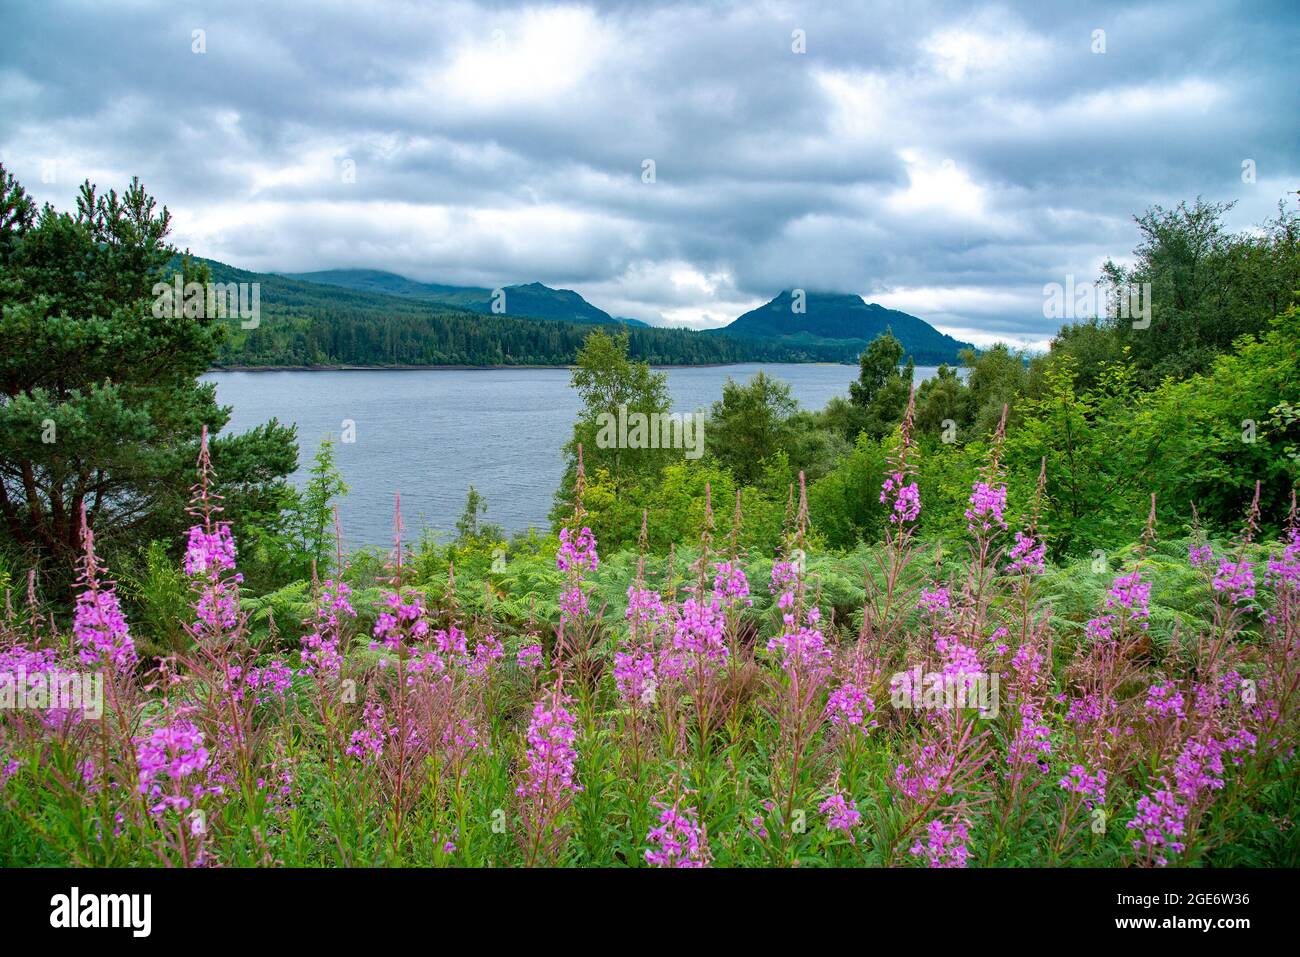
101, 402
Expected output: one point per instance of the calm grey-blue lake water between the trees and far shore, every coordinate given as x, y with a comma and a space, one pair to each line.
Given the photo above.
430, 434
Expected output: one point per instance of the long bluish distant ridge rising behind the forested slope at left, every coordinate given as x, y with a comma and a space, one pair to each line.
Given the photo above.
527, 301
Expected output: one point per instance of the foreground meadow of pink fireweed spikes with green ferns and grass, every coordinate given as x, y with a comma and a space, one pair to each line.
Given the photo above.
729, 714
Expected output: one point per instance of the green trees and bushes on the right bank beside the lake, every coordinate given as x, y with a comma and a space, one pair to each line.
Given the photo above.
1197, 415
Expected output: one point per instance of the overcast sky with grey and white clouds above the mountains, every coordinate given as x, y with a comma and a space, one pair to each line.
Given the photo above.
942, 159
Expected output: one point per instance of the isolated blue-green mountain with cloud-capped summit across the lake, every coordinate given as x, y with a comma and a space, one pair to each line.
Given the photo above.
846, 321
